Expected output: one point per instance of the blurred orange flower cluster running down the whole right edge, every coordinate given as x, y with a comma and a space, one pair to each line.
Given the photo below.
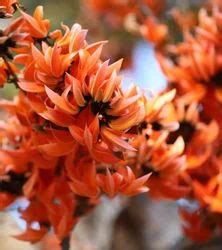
193, 67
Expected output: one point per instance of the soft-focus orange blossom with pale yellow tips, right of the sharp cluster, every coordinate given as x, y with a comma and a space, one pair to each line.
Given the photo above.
164, 161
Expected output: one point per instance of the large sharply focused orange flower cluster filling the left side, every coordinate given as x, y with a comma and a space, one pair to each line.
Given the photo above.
70, 134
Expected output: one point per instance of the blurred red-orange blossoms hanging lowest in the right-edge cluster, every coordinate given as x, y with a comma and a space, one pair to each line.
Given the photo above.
202, 223
